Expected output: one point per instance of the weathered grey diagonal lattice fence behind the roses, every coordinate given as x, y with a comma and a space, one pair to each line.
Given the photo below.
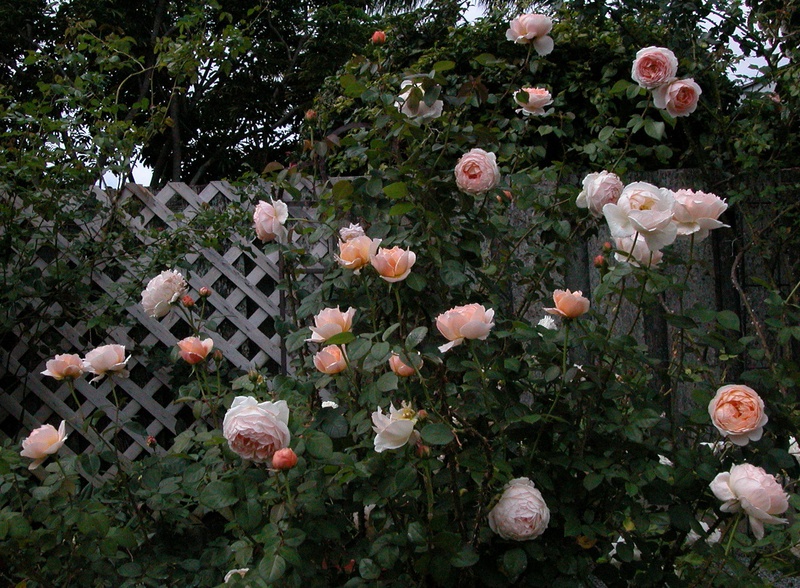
243, 306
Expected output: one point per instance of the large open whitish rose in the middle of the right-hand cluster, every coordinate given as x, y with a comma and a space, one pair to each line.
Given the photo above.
645, 209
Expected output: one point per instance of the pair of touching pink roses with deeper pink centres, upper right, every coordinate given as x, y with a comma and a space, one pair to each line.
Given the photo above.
655, 68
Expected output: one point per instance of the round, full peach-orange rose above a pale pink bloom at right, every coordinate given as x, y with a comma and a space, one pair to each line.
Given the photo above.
737, 412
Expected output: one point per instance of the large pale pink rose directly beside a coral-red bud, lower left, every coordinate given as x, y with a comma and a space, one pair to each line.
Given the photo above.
254, 430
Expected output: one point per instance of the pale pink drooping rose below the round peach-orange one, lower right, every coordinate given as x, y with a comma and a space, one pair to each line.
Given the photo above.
754, 491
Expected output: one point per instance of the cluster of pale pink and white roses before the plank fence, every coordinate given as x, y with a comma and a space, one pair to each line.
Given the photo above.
644, 218
